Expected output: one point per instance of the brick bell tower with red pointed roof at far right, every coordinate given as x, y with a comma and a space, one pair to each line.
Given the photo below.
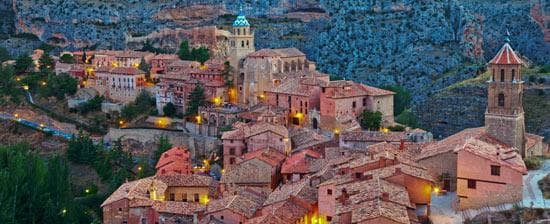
504, 118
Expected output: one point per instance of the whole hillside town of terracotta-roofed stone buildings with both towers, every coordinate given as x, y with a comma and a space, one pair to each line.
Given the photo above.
228, 133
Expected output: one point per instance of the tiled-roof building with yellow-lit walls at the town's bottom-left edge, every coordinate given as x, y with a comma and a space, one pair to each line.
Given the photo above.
164, 199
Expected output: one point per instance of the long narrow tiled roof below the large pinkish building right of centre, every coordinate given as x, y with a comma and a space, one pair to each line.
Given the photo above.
373, 136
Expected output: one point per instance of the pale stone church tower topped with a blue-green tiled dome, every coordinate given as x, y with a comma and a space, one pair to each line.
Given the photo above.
241, 43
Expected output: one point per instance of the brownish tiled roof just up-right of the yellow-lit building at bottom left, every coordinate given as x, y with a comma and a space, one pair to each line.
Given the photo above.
253, 171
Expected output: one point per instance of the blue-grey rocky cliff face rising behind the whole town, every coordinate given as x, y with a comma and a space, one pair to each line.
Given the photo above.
424, 45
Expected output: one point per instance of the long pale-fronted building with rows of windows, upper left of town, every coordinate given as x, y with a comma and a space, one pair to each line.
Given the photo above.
121, 84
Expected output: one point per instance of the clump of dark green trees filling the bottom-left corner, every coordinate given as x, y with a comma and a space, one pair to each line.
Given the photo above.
30, 183
